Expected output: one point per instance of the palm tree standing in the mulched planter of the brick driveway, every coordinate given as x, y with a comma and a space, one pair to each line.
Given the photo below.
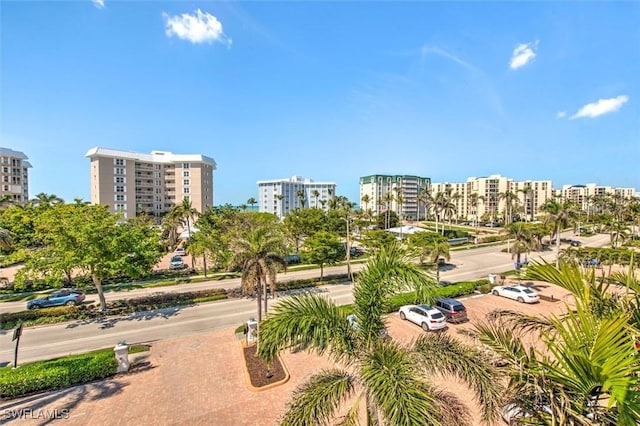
257, 252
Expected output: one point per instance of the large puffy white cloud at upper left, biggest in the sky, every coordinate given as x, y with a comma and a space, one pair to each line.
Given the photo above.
199, 28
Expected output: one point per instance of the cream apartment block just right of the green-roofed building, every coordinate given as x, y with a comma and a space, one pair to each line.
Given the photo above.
531, 196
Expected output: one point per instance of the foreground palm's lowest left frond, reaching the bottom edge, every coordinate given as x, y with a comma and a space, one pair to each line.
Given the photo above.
316, 401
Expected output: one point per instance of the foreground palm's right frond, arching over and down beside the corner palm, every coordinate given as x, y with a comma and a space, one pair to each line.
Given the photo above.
440, 353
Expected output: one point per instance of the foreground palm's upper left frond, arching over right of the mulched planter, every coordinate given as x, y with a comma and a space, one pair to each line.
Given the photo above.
308, 320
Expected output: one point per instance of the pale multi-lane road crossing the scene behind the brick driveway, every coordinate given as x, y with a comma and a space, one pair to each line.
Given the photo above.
44, 342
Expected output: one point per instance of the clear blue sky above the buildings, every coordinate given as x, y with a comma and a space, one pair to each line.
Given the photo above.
328, 90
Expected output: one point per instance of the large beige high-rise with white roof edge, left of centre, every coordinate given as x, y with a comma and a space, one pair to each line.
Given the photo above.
132, 182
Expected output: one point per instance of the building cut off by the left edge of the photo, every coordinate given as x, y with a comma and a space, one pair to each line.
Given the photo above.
14, 176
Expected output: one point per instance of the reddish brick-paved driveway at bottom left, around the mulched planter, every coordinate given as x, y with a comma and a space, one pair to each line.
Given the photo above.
195, 380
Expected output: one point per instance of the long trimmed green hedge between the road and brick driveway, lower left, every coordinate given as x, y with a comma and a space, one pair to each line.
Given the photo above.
57, 373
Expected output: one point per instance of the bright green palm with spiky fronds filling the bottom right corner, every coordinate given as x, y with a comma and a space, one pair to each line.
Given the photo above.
582, 368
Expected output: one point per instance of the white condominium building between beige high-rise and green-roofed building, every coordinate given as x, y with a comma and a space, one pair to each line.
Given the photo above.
280, 196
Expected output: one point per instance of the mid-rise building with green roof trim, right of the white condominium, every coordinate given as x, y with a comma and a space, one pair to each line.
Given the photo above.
399, 193
